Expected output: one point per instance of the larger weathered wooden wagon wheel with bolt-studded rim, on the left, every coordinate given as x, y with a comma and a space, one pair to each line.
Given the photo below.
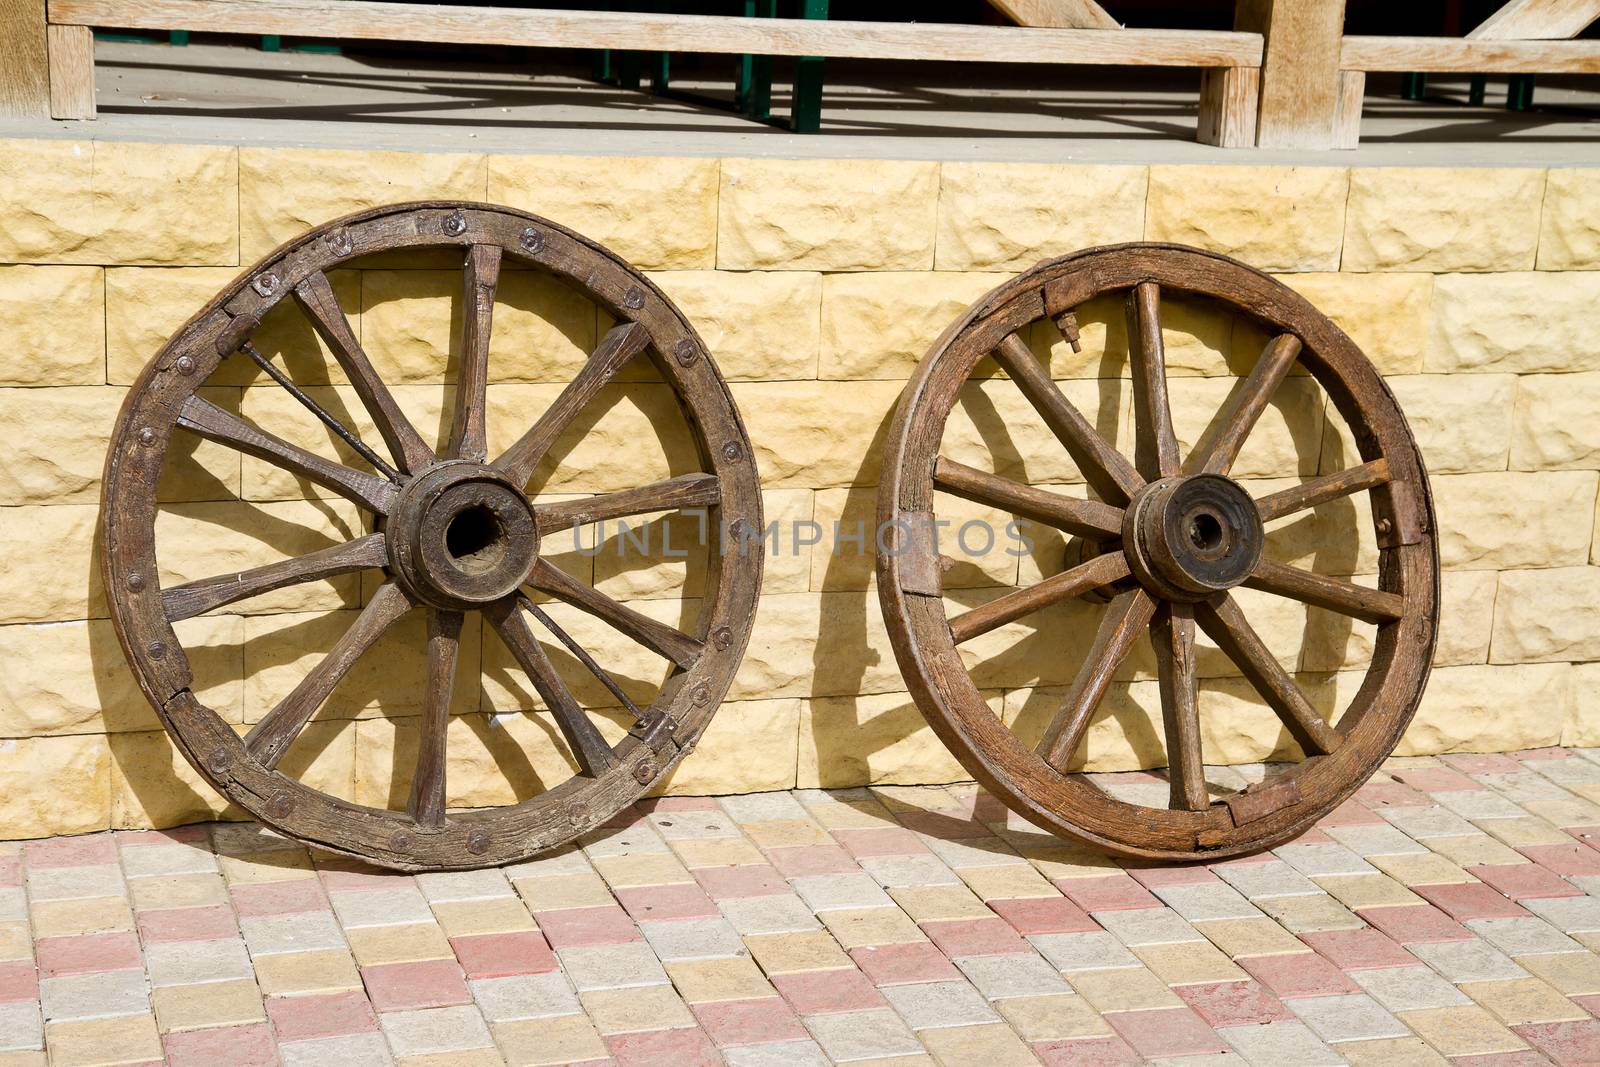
454, 533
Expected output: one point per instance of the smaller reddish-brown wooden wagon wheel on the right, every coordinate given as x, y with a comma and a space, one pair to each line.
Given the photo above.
1174, 535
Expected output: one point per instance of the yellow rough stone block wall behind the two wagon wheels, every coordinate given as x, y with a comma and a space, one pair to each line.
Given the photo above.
818, 286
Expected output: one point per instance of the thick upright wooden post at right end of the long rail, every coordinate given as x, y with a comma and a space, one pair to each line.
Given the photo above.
1300, 71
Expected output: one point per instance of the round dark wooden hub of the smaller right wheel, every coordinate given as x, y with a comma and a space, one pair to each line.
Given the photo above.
1191, 538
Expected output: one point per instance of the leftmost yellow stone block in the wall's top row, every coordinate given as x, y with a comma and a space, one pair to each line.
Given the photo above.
119, 202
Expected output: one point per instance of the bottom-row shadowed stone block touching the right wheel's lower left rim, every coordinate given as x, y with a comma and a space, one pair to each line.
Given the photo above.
874, 741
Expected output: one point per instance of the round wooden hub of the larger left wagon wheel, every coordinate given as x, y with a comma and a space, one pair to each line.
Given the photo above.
462, 537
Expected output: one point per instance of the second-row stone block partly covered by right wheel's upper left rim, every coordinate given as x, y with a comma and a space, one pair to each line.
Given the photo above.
881, 324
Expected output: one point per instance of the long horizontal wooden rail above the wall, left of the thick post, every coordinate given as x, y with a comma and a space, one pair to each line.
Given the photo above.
532, 28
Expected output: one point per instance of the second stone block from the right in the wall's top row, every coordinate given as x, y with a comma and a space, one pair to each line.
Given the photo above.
1471, 218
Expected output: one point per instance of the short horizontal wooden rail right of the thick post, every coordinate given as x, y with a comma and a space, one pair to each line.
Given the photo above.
1460, 55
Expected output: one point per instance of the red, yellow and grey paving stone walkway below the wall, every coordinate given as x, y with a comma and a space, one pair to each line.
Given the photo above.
1449, 913
